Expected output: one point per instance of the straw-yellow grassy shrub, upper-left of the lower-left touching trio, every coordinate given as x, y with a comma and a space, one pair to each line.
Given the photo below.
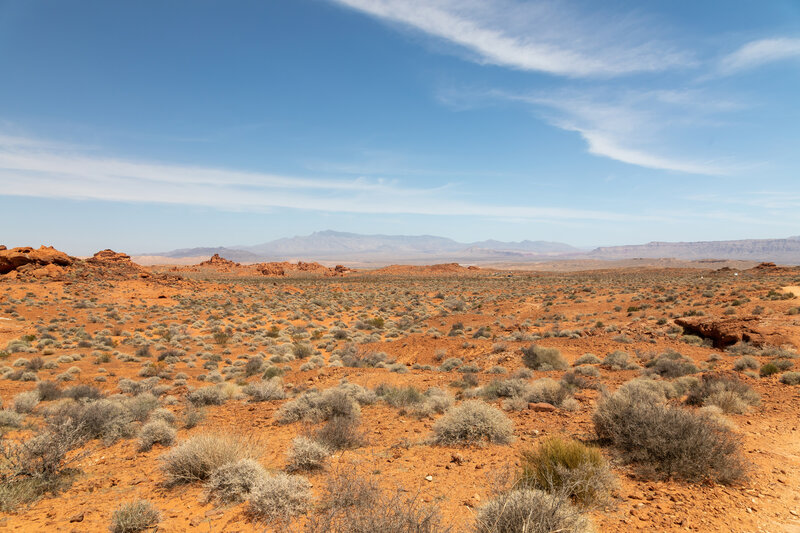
195, 459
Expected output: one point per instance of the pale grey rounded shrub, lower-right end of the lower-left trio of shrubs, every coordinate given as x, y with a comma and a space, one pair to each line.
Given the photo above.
279, 497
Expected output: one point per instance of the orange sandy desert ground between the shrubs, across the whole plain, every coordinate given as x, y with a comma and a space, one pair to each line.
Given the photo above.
396, 448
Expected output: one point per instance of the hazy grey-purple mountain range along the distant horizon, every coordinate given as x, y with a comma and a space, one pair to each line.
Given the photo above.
426, 249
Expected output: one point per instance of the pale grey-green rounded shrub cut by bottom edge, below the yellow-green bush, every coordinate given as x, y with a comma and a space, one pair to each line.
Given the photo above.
530, 511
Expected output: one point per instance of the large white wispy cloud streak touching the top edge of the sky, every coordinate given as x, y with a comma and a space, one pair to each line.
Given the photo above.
535, 36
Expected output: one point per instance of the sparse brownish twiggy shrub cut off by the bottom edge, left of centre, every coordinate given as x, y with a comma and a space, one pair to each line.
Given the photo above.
354, 503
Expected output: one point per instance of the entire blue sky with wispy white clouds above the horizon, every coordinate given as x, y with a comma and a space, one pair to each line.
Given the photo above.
146, 126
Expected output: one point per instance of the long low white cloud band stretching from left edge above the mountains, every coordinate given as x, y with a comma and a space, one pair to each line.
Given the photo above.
41, 169
